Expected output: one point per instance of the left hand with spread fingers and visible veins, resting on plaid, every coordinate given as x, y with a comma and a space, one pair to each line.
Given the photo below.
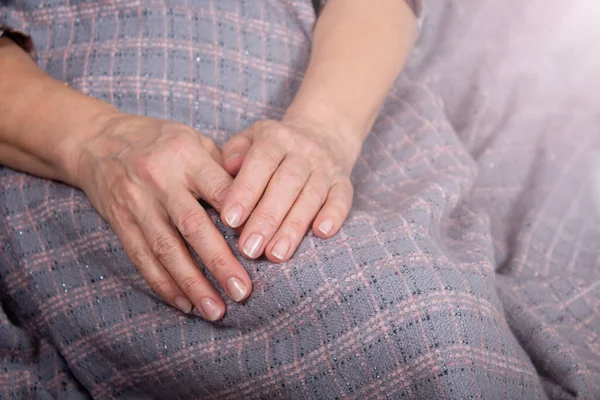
145, 176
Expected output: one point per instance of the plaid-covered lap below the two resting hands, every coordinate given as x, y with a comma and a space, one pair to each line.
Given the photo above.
390, 306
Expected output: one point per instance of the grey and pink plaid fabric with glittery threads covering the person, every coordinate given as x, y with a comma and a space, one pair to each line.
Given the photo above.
468, 267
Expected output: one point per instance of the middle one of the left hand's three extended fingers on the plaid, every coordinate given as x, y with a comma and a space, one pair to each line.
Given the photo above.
169, 249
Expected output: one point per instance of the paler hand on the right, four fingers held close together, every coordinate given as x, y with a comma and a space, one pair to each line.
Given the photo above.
289, 174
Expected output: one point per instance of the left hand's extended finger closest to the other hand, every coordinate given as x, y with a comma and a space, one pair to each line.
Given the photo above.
200, 232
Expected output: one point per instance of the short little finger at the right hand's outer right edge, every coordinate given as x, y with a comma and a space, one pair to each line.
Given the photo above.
335, 211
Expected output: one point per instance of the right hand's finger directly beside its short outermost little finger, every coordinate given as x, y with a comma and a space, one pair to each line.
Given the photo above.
298, 220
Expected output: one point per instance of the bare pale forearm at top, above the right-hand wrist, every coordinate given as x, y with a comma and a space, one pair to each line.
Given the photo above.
359, 48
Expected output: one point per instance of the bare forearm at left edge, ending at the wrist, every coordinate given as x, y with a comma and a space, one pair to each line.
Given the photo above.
41, 119
